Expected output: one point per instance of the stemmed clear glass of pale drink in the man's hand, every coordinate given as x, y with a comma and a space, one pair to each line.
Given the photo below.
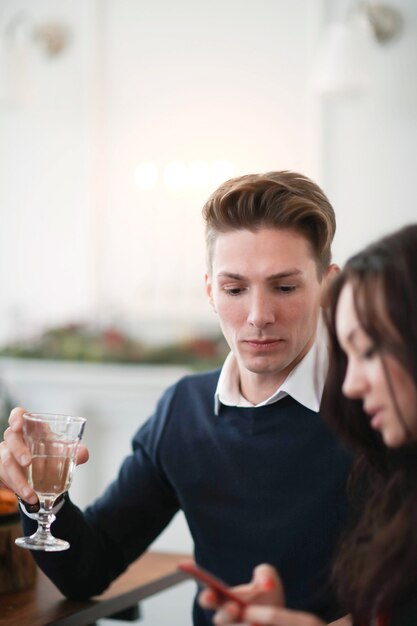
52, 441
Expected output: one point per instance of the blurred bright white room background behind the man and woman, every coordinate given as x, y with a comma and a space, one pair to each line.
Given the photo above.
118, 118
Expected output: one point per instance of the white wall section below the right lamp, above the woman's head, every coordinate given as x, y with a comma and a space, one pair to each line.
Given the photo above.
369, 141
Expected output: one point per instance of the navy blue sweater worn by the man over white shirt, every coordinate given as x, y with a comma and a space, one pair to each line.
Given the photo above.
263, 484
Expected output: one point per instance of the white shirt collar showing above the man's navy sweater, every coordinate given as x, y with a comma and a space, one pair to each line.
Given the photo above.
304, 383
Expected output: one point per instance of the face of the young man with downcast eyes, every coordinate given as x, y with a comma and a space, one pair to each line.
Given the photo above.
265, 290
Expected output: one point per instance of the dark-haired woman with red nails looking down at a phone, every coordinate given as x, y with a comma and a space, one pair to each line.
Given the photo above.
372, 324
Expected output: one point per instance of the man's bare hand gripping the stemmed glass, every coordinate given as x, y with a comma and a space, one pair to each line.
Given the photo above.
15, 458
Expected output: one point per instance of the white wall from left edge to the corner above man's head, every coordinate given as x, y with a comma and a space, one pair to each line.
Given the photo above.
157, 81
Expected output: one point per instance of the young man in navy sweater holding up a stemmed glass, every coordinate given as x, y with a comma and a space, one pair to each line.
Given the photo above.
242, 451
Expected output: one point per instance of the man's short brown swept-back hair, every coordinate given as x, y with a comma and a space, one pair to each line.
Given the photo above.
281, 200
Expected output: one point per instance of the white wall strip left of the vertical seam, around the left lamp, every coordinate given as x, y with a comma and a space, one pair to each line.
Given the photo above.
46, 273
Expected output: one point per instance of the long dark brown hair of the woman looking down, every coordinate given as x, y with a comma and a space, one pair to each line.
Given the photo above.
377, 563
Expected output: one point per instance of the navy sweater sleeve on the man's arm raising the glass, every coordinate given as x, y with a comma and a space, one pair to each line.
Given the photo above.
118, 527
